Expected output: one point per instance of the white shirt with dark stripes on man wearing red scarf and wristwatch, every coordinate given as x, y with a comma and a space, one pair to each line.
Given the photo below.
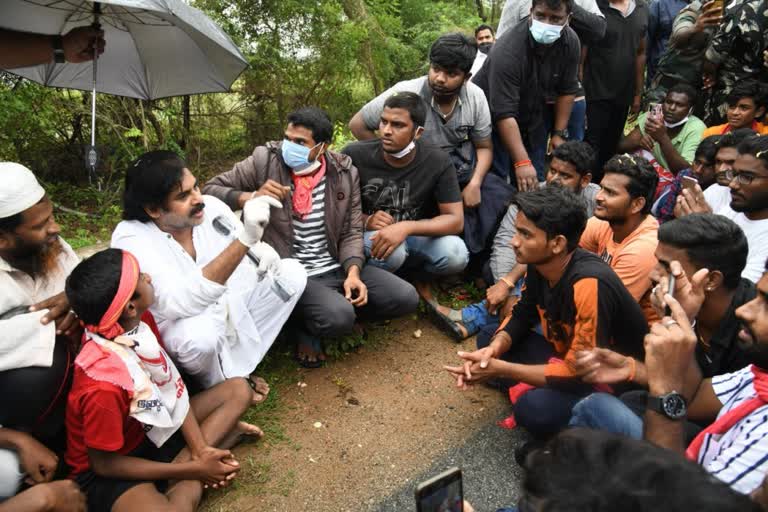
738, 457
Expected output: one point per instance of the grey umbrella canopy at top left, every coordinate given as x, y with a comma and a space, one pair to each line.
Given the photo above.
155, 48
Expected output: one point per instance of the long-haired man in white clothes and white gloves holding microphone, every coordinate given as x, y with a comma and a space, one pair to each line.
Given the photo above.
216, 309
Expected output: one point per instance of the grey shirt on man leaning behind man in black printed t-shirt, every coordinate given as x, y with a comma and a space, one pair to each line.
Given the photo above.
470, 121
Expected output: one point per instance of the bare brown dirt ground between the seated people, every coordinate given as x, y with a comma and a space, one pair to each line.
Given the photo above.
360, 428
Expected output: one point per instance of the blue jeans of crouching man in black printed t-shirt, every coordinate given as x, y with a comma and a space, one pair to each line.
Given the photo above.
442, 255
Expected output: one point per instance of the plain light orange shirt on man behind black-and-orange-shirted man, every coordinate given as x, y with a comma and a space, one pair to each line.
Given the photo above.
632, 259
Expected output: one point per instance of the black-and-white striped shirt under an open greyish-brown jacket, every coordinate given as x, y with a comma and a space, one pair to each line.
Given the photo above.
310, 242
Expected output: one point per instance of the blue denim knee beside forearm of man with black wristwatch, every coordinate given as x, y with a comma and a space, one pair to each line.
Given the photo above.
601, 411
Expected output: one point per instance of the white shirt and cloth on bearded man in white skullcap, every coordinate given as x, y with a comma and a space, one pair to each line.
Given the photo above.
25, 341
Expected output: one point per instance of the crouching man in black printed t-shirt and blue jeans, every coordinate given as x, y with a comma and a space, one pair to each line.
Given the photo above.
412, 208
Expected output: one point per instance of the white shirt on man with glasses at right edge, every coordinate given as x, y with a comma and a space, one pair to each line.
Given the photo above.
719, 199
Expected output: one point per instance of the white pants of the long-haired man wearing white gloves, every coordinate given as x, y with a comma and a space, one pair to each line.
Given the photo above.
232, 336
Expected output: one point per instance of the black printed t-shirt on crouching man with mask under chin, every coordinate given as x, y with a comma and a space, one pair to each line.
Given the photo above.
407, 193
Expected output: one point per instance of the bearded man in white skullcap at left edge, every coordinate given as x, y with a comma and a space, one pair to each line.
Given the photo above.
36, 325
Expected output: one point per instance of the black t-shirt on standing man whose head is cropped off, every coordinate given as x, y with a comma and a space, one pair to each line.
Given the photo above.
609, 71
